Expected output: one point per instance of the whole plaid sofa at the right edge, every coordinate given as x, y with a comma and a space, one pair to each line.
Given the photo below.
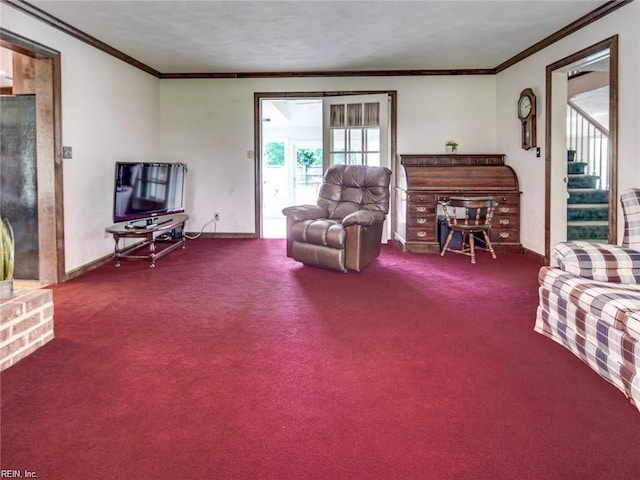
589, 302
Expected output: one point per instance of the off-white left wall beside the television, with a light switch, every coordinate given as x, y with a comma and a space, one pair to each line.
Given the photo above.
110, 112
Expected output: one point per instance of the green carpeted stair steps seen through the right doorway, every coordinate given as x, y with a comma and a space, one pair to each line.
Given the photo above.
588, 205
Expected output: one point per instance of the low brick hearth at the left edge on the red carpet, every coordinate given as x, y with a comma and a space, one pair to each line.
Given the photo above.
26, 323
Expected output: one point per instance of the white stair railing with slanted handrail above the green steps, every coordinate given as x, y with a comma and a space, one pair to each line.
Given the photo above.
590, 142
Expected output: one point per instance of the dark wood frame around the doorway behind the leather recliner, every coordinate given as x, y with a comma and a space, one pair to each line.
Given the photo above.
257, 147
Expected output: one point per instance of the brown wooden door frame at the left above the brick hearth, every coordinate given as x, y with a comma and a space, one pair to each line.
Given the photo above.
48, 89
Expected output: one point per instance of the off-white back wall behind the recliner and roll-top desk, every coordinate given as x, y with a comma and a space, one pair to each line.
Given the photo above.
208, 124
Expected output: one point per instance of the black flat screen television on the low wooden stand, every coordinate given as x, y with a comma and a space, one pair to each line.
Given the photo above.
143, 190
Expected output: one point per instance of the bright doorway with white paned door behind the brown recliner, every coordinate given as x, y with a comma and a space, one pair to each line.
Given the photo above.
292, 150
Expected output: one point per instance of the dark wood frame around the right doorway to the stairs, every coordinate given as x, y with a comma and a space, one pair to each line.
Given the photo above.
610, 43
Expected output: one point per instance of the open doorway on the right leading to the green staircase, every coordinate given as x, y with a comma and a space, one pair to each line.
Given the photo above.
580, 189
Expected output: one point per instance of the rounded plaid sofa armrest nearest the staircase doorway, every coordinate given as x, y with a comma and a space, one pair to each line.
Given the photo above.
600, 262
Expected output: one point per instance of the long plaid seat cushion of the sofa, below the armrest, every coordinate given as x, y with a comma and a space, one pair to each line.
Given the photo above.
618, 305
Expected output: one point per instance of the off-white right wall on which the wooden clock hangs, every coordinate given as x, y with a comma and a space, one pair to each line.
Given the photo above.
531, 73
